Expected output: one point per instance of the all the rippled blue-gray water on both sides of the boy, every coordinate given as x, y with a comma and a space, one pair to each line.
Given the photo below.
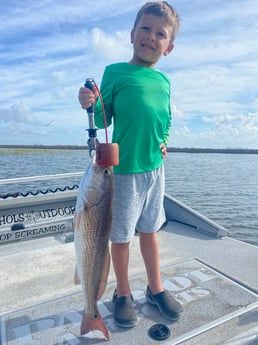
224, 187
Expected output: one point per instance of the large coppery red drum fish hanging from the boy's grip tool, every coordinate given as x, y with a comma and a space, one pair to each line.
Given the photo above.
93, 218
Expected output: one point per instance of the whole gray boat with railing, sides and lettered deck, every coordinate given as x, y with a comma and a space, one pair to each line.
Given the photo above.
213, 275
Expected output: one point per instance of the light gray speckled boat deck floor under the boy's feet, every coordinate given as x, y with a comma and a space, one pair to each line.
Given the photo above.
215, 279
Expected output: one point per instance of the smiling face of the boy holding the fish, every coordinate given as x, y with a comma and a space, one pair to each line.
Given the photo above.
151, 40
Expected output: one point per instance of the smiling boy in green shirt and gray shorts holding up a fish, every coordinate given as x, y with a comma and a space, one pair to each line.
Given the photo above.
137, 97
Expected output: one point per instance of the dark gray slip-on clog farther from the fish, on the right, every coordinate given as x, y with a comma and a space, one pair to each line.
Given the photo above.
167, 305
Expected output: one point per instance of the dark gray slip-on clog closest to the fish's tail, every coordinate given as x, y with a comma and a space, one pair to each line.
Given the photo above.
124, 313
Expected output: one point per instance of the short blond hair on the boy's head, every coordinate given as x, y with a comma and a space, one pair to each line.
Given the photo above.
161, 9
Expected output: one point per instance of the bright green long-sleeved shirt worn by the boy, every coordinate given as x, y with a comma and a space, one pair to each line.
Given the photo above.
137, 102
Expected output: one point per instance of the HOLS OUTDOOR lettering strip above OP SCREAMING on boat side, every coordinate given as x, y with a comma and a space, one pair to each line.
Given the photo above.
35, 215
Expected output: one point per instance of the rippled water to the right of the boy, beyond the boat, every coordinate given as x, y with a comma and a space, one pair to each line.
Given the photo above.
224, 187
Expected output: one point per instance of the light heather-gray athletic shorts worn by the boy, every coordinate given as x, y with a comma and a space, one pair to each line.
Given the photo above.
137, 204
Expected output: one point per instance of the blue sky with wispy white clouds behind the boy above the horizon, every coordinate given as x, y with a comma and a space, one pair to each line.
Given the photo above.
49, 47
